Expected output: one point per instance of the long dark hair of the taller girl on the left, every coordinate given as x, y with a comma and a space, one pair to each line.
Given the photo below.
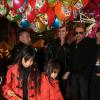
29, 52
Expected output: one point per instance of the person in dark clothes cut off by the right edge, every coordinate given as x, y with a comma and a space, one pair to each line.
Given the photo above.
95, 78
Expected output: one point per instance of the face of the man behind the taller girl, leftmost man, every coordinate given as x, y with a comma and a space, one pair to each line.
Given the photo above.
25, 38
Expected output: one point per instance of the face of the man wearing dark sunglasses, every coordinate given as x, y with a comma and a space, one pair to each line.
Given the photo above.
80, 33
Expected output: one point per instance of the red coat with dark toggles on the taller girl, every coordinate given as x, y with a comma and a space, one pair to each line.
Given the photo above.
15, 84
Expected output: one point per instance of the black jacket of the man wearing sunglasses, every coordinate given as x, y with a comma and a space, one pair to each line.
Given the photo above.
83, 56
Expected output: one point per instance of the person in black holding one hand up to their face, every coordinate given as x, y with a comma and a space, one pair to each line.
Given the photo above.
58, 49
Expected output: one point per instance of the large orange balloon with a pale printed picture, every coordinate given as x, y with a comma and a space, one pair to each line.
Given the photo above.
62, 12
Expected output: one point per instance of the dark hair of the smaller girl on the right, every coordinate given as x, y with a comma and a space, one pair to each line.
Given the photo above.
50, 66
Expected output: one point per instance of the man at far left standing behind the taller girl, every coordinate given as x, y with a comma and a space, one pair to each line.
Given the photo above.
24, 40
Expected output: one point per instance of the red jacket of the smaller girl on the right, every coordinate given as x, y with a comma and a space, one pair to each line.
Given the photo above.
50, 90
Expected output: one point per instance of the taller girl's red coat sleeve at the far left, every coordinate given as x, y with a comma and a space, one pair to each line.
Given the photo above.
7, 86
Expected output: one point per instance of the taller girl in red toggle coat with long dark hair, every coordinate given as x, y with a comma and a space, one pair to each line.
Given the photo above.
22, 80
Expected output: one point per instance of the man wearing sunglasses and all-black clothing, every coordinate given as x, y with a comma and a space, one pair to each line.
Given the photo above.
82, 61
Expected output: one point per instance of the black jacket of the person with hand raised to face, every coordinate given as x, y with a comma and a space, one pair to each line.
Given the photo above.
58, 52
